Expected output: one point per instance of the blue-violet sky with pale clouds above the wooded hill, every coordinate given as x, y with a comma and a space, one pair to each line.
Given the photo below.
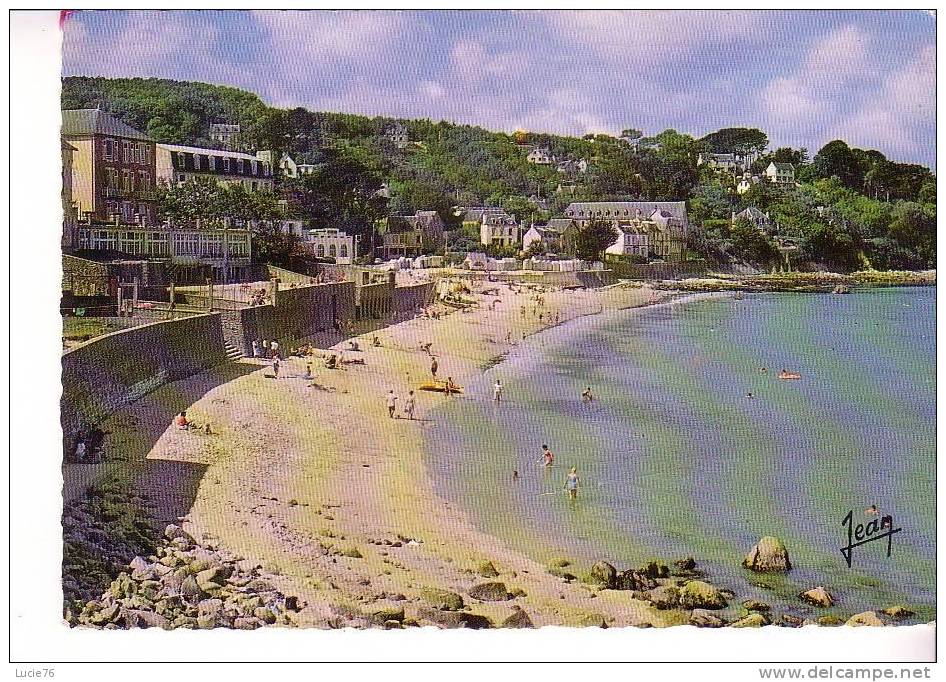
805, 77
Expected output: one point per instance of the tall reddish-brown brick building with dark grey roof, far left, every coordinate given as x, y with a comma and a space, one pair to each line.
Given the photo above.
113, 168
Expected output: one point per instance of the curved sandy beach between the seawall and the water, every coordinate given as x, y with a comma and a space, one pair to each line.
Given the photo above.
312, 479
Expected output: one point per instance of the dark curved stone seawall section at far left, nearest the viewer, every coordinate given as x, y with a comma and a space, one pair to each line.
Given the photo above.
117, 369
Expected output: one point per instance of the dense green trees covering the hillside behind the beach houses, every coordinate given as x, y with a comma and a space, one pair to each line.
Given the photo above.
849, 208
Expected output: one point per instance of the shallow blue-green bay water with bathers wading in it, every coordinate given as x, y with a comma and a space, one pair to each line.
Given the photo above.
675, 459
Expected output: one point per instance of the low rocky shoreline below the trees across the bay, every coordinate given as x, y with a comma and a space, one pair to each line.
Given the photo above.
811, 282
